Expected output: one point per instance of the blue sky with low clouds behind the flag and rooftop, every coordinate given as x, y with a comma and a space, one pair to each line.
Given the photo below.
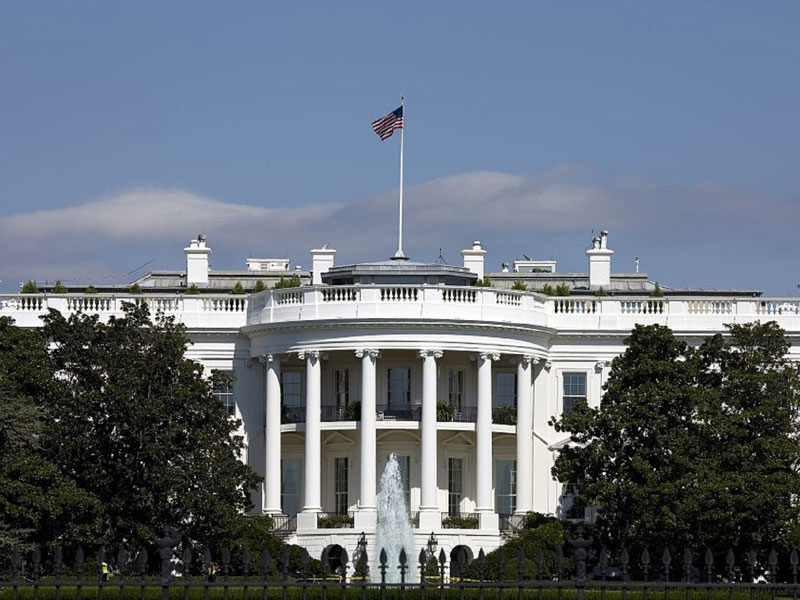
126, 128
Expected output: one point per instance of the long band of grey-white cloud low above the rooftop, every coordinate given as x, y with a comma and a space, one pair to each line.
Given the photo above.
122, 230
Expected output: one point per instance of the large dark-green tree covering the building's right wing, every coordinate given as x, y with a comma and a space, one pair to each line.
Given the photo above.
692, 445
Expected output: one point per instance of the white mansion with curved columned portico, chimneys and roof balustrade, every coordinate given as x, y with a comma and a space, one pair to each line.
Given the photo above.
459, 381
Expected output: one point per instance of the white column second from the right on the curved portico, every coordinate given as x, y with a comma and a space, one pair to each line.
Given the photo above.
483, 446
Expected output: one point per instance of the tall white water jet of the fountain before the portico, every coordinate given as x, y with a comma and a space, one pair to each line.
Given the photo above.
393, 531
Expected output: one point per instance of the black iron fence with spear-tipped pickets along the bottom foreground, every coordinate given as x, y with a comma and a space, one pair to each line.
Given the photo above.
165, 573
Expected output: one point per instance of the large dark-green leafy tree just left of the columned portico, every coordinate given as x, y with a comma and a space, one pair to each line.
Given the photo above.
137, 426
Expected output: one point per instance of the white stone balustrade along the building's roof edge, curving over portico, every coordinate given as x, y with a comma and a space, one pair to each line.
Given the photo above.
607, 313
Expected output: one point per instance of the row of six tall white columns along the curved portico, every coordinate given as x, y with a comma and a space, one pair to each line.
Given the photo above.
430, 515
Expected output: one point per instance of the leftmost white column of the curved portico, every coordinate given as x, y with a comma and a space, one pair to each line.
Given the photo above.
272, 443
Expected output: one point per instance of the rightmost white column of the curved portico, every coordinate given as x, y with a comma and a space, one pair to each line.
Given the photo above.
524, 435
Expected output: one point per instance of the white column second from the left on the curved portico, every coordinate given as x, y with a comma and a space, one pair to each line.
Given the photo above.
313, 473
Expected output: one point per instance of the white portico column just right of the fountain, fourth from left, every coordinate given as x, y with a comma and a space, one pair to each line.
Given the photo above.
429, 515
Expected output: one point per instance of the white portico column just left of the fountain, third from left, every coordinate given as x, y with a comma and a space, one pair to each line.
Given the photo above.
366, 516
